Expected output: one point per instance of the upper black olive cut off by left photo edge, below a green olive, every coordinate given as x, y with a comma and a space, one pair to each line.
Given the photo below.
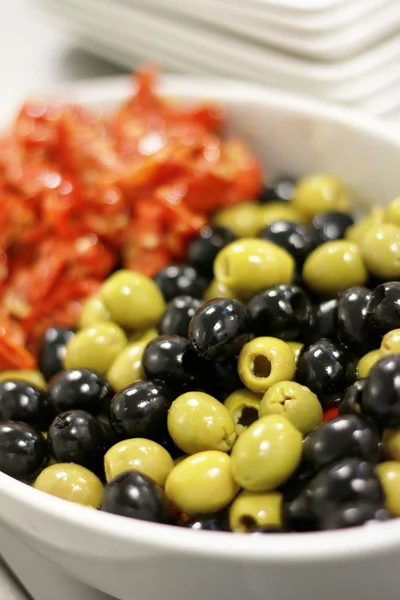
22, 401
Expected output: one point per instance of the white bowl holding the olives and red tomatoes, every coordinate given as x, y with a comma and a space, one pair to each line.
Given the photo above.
135, 560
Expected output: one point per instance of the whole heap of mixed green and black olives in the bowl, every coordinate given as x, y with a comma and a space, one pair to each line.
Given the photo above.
255, 388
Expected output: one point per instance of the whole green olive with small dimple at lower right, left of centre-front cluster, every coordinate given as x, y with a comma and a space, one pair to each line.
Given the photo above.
197, 422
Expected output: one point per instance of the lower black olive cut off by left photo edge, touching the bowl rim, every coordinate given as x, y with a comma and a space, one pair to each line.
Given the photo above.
23, 450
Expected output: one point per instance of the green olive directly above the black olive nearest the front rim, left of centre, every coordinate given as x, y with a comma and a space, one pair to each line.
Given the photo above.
138, 454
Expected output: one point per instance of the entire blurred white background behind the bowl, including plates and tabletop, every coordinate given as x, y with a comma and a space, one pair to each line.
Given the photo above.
339, 51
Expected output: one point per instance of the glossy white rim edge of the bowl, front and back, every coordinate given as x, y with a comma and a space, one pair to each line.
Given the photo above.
297, 548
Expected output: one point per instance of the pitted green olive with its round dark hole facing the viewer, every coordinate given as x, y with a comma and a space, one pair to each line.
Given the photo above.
265, 361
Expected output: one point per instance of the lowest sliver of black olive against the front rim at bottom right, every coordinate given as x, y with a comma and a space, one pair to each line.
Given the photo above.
355, 514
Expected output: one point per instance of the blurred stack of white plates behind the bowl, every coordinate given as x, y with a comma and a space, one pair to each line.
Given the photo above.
341, 51
